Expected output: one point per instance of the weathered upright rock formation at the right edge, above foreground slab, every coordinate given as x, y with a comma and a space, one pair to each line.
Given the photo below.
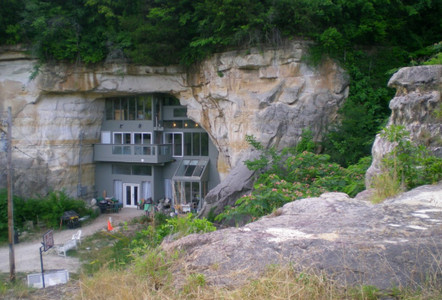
417, 105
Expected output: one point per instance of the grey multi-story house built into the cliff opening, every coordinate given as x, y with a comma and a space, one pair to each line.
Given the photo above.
150, 149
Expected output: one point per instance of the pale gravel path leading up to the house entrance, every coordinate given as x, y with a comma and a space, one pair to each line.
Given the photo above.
27, 254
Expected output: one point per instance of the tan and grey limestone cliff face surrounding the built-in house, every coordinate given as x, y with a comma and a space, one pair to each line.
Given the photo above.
57, 114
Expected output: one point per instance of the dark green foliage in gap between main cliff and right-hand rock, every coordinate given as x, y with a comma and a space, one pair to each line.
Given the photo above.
366, 109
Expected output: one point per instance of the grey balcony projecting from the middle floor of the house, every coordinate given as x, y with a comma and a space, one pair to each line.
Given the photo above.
152, 154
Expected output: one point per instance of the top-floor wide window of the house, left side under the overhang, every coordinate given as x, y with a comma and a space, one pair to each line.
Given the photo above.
129, 108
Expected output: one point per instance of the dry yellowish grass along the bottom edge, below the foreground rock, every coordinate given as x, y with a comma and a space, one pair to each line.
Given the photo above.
279, 282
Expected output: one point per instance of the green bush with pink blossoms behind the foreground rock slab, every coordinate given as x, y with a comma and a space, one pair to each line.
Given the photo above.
293, 174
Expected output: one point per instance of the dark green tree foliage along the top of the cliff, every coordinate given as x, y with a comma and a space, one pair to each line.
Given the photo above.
171, 31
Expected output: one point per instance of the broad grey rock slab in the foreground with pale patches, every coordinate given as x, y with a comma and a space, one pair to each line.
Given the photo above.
395, 243
